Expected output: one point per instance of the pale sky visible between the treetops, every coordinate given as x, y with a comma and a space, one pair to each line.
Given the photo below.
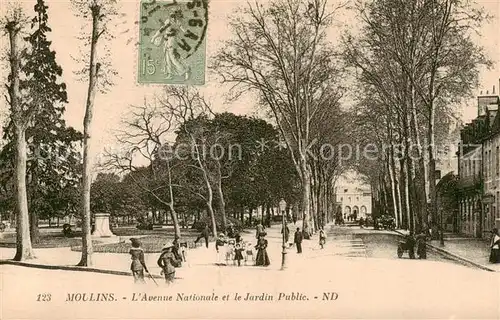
110, 108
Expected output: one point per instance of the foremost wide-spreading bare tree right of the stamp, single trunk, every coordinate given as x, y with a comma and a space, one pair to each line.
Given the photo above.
281, 53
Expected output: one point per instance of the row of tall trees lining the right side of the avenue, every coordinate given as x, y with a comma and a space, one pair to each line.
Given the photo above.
415, 61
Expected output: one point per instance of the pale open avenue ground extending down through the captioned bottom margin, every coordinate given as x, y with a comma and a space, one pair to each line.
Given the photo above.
355, 275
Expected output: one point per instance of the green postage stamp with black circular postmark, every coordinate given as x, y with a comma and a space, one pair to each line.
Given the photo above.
172, 42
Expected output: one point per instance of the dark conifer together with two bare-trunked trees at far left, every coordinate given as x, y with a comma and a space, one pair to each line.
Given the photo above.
48, 181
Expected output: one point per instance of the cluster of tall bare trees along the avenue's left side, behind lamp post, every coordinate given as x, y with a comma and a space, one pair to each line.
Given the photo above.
281, 53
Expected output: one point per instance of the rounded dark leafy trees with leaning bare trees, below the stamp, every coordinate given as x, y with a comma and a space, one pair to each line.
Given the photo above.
180, 157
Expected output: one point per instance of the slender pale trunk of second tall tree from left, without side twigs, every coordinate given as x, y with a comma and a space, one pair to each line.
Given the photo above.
87, 249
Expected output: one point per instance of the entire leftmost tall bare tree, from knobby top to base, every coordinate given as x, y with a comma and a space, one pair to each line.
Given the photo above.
14, 21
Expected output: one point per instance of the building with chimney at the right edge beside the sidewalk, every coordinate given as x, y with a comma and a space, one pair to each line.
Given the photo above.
479, 170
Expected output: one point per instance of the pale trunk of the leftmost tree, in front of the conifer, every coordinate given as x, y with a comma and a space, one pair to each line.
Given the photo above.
24, 249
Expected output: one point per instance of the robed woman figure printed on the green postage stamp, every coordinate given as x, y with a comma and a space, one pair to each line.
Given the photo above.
166, 35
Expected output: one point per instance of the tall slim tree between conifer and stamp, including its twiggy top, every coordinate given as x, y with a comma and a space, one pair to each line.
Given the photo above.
99, 12
